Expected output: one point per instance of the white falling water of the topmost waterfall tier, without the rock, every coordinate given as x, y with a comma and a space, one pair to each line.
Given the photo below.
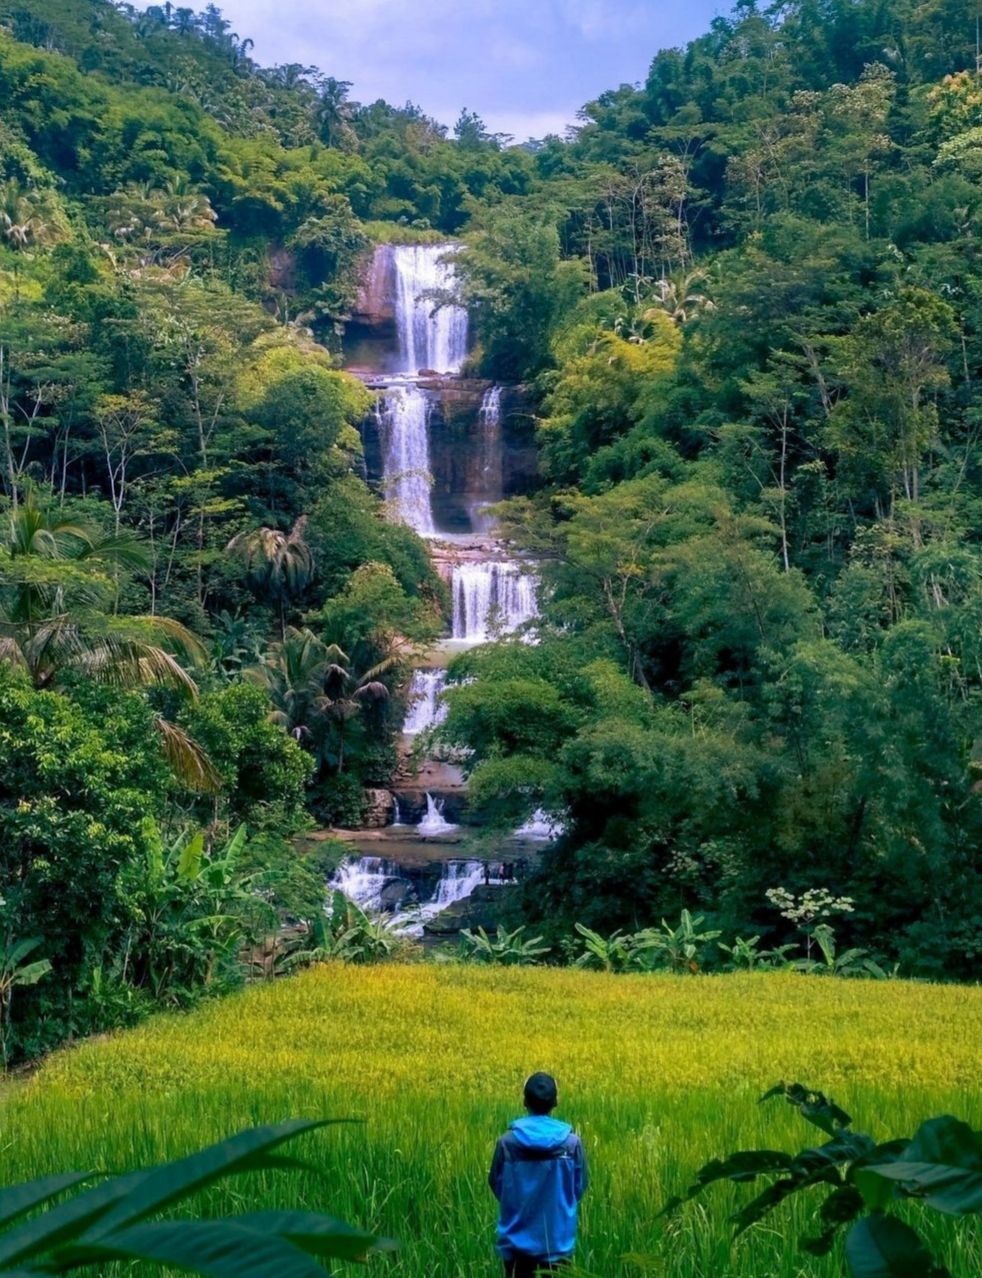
428, 339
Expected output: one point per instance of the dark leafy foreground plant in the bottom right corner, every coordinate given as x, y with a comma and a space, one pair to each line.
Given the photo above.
942, 1169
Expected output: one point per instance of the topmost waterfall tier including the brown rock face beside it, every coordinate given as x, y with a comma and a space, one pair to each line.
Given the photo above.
400, 325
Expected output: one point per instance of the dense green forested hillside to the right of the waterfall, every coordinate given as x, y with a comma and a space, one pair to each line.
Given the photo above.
759, 663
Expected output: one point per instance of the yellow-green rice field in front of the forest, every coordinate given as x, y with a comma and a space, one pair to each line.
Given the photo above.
658, 1073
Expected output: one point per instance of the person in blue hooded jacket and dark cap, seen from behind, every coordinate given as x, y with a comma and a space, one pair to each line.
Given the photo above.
539, 1175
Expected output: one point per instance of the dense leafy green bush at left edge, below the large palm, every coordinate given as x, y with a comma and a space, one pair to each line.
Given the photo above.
80, 792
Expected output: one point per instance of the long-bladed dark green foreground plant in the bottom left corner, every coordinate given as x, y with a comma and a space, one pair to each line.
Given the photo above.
121, 1220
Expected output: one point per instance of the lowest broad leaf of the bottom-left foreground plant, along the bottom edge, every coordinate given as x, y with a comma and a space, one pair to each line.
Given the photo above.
213, 1248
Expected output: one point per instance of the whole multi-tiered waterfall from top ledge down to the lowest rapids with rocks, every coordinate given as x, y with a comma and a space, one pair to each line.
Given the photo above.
444, 448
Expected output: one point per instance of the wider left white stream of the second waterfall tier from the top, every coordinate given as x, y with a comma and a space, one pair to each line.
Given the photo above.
403, 416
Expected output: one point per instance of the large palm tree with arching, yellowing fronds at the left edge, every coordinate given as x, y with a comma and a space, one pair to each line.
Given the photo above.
59, 582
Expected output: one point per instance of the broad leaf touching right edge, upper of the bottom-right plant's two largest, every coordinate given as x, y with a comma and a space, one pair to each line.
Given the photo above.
943, 1166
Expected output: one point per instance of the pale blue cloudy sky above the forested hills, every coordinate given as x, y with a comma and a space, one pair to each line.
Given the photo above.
524, 66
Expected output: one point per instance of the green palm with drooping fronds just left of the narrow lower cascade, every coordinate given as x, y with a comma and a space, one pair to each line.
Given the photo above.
313, 689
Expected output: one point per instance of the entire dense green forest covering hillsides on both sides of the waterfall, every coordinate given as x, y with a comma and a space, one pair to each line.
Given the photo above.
745, 301
